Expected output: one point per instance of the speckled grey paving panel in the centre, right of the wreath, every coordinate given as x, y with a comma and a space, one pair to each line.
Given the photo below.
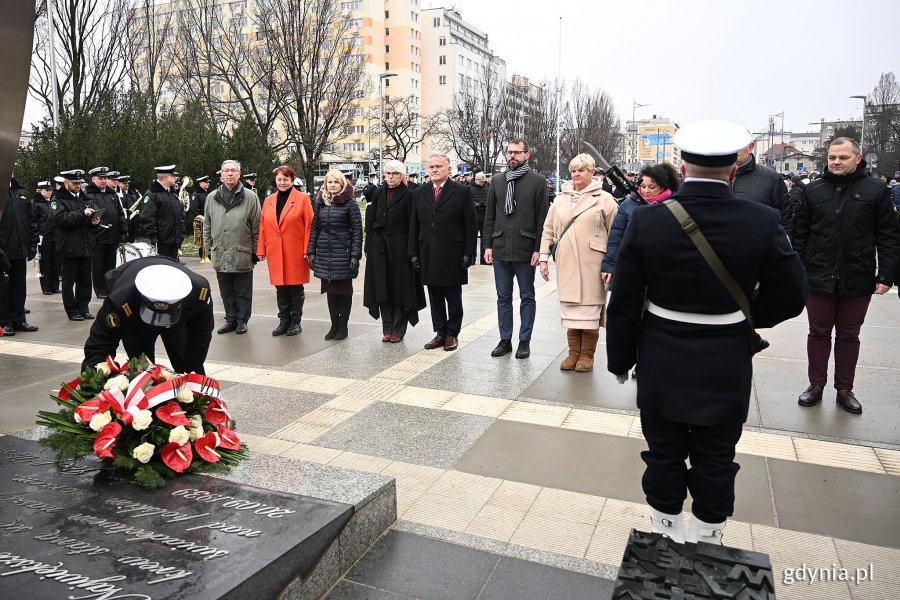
410, 434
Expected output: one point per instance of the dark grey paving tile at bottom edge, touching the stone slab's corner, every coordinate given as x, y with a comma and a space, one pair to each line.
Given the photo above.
420, 567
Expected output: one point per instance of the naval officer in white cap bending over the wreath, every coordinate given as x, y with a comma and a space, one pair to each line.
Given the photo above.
149, 298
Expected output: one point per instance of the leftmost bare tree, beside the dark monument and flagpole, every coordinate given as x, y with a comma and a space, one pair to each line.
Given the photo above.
90, 55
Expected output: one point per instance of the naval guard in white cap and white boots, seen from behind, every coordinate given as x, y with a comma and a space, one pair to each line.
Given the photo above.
694, 344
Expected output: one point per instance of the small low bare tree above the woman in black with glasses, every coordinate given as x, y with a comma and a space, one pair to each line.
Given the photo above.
403, 125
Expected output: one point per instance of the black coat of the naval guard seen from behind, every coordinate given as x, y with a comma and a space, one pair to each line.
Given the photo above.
699, 374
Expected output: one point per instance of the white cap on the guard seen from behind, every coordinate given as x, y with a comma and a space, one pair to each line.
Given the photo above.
711, 143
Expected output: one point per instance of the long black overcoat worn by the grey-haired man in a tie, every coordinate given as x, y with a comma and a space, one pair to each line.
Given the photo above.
442, 232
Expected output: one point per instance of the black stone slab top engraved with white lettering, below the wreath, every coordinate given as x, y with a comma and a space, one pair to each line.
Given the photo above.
70, 534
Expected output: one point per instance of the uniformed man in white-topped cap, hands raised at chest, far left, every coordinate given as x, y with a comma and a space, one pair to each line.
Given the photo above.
75, 218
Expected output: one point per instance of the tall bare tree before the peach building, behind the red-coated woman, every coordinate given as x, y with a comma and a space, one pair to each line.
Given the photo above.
312, 46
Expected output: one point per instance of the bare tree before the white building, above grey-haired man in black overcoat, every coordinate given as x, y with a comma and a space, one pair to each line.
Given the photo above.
476, 126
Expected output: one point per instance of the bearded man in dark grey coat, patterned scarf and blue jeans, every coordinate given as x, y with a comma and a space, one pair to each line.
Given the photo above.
516, 208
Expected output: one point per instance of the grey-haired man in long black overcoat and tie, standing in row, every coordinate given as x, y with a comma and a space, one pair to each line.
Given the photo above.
442, 236
